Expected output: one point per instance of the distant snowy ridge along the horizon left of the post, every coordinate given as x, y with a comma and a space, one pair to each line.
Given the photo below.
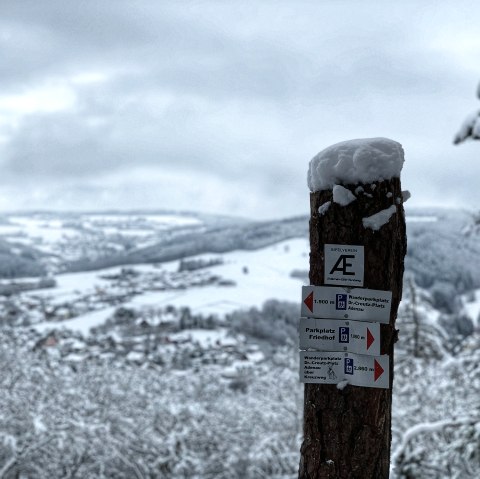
41, 243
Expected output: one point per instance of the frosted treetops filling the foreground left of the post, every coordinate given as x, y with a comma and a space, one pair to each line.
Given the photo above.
115, 420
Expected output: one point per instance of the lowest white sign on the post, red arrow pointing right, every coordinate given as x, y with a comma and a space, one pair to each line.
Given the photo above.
331, 368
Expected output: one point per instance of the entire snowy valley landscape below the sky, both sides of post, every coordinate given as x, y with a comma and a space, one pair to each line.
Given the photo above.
164, 345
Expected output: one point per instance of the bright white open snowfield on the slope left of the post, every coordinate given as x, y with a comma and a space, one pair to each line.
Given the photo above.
236, 280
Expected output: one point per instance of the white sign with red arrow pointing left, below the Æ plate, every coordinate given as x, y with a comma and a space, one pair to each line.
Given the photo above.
357, 304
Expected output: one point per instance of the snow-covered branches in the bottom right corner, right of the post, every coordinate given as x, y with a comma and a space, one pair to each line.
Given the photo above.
438, 412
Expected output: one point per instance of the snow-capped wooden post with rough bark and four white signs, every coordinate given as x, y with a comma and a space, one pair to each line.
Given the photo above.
357, 239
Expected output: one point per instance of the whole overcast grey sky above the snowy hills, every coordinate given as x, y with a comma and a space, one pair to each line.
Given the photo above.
219, 106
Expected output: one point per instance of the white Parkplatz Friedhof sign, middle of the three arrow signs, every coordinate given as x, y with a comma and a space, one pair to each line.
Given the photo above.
340, 335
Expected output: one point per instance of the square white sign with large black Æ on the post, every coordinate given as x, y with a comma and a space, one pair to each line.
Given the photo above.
344, 265
